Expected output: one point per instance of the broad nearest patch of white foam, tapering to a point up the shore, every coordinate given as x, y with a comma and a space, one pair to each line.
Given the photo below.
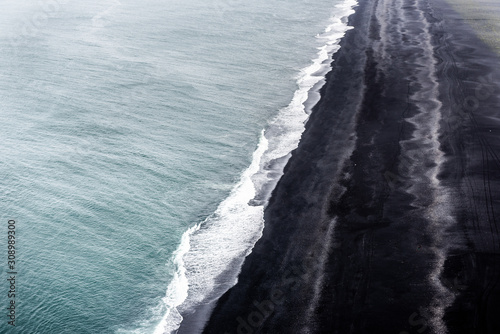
226, 235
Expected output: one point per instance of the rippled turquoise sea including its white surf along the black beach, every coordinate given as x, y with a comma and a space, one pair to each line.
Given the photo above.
127, 123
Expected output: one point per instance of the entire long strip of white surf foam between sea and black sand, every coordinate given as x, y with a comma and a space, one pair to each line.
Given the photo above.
211, 253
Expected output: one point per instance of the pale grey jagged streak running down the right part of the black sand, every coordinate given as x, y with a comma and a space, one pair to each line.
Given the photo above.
428, 153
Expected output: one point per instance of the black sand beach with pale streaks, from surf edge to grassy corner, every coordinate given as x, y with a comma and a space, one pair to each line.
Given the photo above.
387, 217
